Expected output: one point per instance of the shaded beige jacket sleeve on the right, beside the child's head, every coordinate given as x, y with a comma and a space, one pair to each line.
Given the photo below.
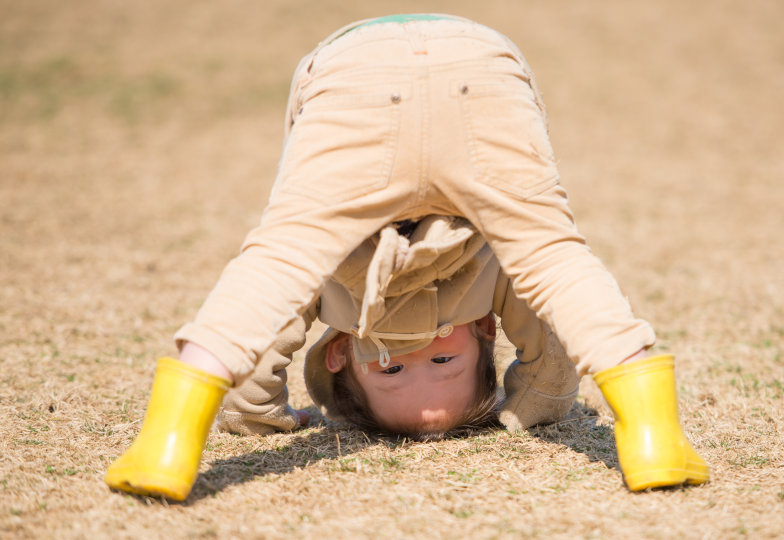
541, 383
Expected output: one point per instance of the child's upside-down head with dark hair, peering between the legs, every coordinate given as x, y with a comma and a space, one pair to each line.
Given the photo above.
449, 384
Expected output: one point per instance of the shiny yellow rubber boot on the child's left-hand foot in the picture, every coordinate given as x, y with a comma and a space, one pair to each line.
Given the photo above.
164, 458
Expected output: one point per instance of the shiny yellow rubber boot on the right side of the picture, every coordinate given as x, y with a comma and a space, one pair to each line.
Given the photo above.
653, 451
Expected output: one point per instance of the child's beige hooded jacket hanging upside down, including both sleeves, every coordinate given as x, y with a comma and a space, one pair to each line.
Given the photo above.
395, 293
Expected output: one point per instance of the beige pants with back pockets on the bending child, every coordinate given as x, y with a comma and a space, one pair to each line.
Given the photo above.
394, 121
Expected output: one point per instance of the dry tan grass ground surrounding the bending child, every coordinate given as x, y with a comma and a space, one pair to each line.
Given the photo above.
138, 143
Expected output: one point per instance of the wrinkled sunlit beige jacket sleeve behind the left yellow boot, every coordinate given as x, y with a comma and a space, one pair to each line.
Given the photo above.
259, 405
